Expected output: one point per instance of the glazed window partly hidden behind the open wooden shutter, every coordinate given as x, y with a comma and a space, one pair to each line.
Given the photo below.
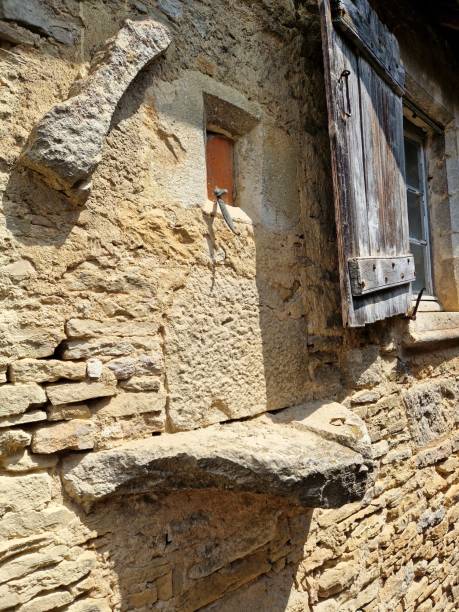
418, 218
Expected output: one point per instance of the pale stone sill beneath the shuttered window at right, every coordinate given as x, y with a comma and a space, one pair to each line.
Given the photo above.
432, 328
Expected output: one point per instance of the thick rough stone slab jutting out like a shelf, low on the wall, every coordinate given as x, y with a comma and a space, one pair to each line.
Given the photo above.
315, 455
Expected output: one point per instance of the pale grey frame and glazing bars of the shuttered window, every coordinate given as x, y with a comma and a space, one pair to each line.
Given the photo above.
415, 134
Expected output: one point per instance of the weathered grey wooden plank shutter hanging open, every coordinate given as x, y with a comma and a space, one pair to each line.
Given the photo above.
364, 82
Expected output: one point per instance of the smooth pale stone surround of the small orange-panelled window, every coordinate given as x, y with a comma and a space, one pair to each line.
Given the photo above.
266, 156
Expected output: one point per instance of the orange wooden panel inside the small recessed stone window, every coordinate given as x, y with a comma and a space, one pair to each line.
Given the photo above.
220, 166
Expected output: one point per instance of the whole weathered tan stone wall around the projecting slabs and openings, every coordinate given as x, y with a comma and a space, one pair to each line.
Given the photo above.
140, 313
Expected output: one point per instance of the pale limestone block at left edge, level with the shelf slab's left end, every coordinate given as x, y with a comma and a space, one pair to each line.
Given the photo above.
24, 493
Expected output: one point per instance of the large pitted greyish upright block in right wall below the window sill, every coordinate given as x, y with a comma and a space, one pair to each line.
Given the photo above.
429, 411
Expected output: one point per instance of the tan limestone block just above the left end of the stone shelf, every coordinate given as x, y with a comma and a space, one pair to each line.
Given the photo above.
75, 435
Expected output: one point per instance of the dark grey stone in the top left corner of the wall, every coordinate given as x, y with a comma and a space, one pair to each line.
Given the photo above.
38, 16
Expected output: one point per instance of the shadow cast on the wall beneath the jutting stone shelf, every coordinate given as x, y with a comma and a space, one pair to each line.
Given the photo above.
191, 551
